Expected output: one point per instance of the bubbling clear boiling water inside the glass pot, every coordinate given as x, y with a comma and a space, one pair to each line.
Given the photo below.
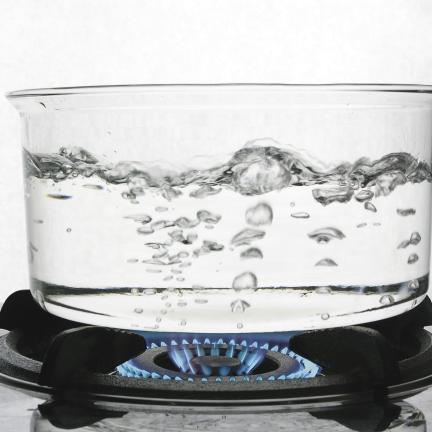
264, 239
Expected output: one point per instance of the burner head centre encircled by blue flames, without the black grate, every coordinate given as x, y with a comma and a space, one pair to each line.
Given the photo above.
208, 359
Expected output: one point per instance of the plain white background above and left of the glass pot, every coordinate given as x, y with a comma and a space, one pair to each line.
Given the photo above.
82, 42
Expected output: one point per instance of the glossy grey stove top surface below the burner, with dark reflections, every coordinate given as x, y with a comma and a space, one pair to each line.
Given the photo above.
22, 412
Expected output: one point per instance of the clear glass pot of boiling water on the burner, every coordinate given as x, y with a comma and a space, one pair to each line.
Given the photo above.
227, 208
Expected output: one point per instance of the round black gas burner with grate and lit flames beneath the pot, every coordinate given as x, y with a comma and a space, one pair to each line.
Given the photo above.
383, 360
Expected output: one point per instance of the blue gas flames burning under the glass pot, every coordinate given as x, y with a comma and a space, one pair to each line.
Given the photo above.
248, 349
